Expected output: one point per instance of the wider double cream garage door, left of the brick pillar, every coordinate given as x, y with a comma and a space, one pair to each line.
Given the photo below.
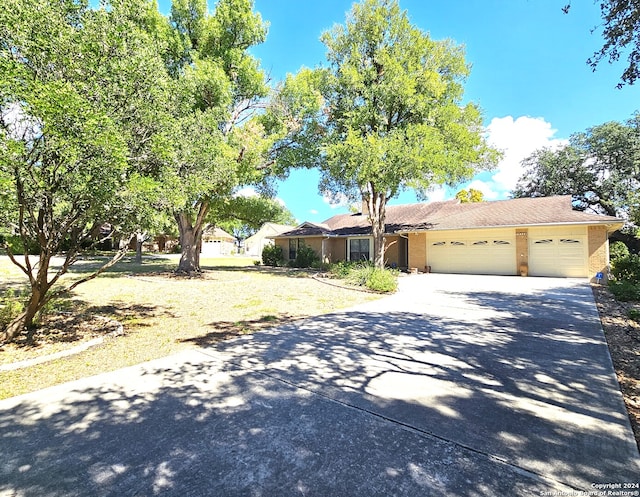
472, 252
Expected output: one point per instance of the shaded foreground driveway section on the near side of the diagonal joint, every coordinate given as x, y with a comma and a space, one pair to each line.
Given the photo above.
193, 427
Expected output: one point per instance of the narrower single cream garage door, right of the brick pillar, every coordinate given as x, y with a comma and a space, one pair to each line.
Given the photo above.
558, 252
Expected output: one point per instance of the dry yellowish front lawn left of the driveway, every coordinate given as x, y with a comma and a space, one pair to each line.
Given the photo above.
163, 314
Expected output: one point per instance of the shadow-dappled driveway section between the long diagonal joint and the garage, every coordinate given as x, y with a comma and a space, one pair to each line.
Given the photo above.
526, 378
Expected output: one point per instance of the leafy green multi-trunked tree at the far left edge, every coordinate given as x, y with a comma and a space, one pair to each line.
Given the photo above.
78, 94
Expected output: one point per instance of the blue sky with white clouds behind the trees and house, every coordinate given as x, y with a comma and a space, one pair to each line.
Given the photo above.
529, 75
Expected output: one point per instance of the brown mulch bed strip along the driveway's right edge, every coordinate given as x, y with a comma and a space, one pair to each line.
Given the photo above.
623, 338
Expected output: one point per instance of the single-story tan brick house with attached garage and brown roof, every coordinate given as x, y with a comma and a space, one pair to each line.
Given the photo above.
541, 236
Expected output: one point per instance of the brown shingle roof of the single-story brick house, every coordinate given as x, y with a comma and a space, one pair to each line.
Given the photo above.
451, 215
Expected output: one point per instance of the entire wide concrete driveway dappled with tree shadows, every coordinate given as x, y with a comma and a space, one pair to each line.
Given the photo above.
456, 385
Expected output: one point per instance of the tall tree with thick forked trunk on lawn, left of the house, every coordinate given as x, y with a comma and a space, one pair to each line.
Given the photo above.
221, 135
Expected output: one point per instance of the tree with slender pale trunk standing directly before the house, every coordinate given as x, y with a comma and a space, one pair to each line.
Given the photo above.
390, 112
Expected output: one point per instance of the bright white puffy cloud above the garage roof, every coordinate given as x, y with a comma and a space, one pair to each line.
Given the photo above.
517, 139
